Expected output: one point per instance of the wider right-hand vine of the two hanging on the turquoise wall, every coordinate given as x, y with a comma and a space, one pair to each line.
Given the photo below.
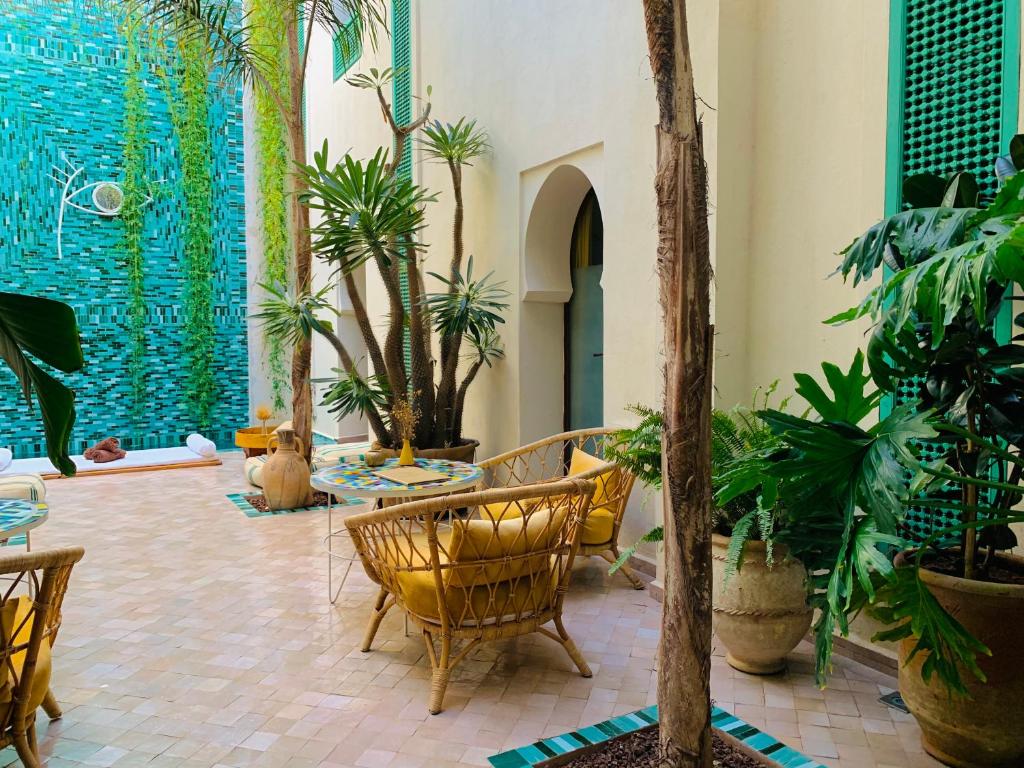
192, 122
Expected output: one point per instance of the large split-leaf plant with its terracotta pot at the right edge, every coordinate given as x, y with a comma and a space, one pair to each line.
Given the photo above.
938, 478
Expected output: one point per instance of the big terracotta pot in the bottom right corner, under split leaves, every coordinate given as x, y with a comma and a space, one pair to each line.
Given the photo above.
986, 731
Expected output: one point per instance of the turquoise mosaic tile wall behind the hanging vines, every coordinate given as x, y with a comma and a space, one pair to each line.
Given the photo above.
62, 78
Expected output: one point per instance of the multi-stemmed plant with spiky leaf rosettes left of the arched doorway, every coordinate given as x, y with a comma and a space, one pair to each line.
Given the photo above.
373, 218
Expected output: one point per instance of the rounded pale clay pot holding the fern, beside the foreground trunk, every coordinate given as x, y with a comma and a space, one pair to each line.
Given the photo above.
762, 613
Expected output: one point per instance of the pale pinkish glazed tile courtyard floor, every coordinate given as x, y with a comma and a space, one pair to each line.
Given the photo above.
195, 637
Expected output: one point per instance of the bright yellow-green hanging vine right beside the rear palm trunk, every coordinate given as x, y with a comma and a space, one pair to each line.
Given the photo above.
270, 38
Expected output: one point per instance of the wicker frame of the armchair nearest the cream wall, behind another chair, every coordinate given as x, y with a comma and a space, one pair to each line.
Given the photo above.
574, 455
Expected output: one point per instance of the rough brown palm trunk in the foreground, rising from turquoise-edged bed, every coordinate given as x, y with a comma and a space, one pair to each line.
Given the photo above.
685, 263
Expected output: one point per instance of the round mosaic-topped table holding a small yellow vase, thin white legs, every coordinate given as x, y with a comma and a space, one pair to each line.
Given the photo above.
356, 479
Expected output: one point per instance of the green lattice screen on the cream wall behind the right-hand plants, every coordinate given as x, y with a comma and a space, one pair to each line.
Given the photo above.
953, 107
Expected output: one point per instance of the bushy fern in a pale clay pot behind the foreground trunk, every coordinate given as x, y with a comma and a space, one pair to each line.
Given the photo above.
760, 591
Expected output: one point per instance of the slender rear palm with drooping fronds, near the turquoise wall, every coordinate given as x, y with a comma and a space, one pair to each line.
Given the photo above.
228, 34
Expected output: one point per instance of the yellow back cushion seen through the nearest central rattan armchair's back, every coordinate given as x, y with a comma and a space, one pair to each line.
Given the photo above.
509, 541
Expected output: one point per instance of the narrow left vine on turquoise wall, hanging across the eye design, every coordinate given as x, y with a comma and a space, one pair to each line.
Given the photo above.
136, 133
